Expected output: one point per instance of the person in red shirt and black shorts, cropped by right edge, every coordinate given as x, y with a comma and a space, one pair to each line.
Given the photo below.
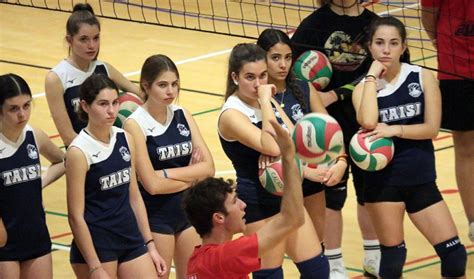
450, 25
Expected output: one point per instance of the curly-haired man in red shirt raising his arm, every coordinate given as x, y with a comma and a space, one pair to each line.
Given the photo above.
213, 208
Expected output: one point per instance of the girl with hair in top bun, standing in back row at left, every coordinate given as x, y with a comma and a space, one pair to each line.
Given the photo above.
63, 81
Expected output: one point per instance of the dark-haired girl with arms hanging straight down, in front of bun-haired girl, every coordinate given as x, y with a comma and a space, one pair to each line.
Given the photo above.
106, 212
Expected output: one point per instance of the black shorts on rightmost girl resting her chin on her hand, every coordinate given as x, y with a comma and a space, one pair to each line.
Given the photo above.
415, 197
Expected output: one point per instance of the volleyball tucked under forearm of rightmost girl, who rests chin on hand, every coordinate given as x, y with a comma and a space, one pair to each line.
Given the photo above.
371, 155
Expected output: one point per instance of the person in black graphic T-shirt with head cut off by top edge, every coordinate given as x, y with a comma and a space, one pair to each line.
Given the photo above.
339, 30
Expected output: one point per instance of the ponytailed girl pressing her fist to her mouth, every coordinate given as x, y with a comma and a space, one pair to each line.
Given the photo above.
247, 112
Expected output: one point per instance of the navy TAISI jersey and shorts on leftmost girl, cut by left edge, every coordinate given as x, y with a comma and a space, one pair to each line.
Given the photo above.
21, 202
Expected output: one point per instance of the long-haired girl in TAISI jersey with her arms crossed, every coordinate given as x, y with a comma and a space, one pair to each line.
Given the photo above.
171, 156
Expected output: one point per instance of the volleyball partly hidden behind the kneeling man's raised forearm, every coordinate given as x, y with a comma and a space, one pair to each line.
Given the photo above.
271, 177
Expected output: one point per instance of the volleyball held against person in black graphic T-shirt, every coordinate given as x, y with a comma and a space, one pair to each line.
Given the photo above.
313, 66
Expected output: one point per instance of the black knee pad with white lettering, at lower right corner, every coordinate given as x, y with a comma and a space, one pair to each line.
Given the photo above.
453, 257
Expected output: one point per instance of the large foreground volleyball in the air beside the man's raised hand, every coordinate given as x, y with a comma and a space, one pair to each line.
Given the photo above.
318, 138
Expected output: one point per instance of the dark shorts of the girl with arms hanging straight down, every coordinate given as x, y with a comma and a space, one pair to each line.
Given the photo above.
125, 255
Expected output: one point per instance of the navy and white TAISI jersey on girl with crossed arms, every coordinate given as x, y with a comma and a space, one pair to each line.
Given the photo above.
169, 146
